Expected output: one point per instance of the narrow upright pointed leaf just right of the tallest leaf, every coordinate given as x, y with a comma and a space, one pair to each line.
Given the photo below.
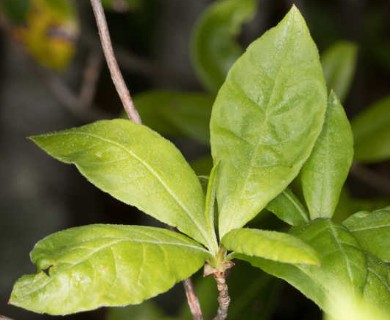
324, 173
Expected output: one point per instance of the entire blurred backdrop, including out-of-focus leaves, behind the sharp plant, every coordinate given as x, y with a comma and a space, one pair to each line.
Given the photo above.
53, 76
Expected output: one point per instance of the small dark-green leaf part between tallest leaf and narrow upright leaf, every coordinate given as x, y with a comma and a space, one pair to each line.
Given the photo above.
287, 207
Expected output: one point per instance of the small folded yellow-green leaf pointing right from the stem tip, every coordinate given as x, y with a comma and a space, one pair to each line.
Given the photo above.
272, 245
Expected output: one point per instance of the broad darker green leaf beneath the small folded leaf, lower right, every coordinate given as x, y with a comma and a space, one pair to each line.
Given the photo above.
342, 263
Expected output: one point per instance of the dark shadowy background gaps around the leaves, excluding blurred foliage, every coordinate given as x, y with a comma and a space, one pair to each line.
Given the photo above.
39, 195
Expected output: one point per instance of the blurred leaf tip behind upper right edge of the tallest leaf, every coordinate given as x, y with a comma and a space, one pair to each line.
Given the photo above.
339, 64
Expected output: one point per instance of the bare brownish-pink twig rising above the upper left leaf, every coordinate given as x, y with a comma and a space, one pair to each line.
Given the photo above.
116, 75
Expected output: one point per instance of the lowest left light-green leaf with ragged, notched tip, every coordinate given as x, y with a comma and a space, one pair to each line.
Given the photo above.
88, 267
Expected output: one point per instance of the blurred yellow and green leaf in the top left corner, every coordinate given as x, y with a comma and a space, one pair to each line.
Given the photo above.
47, 29
